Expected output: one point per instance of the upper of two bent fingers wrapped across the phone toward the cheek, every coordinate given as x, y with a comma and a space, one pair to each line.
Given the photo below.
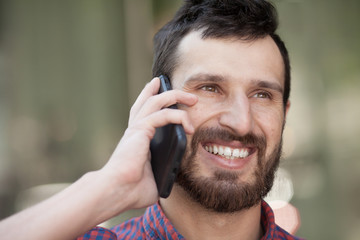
166, 99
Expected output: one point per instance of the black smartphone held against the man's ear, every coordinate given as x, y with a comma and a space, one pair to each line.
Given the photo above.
167, 150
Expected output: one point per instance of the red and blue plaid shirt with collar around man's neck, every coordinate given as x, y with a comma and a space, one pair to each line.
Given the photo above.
154, 225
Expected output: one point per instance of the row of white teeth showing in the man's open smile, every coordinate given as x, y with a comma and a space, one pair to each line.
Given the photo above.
228, 152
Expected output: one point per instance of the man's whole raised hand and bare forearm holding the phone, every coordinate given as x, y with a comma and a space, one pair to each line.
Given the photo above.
125, 182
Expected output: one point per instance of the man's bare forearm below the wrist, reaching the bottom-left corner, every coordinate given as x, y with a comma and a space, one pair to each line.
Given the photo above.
69, 213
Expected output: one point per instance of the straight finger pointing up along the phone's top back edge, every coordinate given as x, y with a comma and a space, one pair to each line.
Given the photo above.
150, 89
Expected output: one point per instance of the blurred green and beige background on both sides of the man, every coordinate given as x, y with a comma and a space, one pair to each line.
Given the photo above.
71, 69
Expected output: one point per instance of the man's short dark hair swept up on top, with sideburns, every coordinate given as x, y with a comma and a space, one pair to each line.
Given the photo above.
244, 19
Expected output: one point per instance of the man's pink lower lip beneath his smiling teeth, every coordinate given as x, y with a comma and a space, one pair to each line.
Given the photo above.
232, 164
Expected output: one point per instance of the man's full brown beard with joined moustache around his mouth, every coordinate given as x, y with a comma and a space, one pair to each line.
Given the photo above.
222, 192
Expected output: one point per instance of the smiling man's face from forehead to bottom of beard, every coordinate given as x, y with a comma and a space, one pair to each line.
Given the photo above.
239, 118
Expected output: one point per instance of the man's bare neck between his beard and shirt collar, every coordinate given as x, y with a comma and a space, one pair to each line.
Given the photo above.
195, 222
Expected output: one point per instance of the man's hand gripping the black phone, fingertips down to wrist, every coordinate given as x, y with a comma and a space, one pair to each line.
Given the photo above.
129, 166
